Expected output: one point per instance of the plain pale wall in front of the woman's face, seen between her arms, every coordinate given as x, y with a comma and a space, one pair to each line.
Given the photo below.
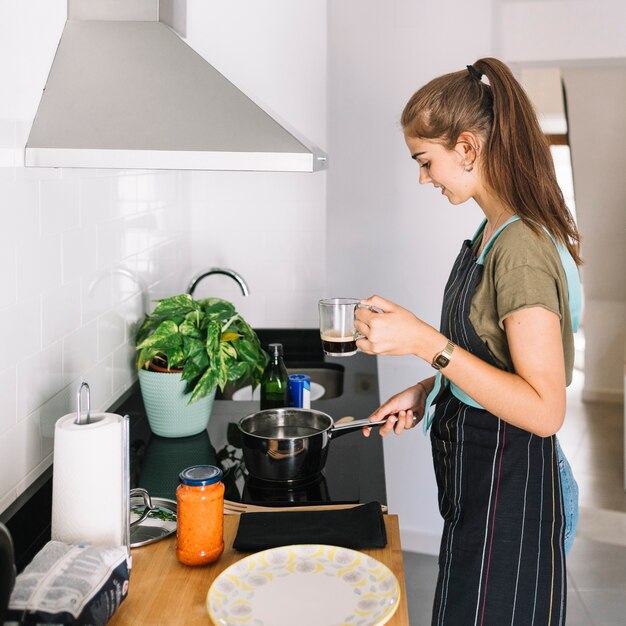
386, 234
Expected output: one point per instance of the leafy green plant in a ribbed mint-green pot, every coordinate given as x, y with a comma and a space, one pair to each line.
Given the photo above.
186, 349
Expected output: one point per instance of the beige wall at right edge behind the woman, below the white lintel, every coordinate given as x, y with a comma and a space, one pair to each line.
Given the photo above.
597, 130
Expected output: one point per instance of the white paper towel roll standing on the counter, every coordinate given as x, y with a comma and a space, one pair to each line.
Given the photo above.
89, 480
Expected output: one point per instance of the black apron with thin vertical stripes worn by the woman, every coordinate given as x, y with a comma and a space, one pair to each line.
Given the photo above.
501, 560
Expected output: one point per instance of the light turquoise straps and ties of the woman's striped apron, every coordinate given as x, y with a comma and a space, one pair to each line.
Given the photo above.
574, 296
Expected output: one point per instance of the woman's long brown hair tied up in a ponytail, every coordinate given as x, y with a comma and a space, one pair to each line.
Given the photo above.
516, 159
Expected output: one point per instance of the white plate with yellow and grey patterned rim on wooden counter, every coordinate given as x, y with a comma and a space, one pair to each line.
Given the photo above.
304, 585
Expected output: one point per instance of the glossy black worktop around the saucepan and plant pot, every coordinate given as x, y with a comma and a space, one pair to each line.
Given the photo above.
354, 470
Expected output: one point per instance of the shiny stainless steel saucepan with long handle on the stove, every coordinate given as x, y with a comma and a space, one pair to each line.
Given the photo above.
290, 445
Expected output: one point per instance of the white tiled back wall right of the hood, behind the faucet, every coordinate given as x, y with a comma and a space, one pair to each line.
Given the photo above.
270, 227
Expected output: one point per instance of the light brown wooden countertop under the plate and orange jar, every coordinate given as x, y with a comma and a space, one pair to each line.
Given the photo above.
162, 591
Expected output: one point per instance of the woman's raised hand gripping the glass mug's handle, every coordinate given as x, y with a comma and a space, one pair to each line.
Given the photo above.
395, 331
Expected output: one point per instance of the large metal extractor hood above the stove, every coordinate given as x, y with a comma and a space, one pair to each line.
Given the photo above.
125, 91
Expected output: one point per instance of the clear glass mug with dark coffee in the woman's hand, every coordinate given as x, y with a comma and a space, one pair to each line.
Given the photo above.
337, 325
